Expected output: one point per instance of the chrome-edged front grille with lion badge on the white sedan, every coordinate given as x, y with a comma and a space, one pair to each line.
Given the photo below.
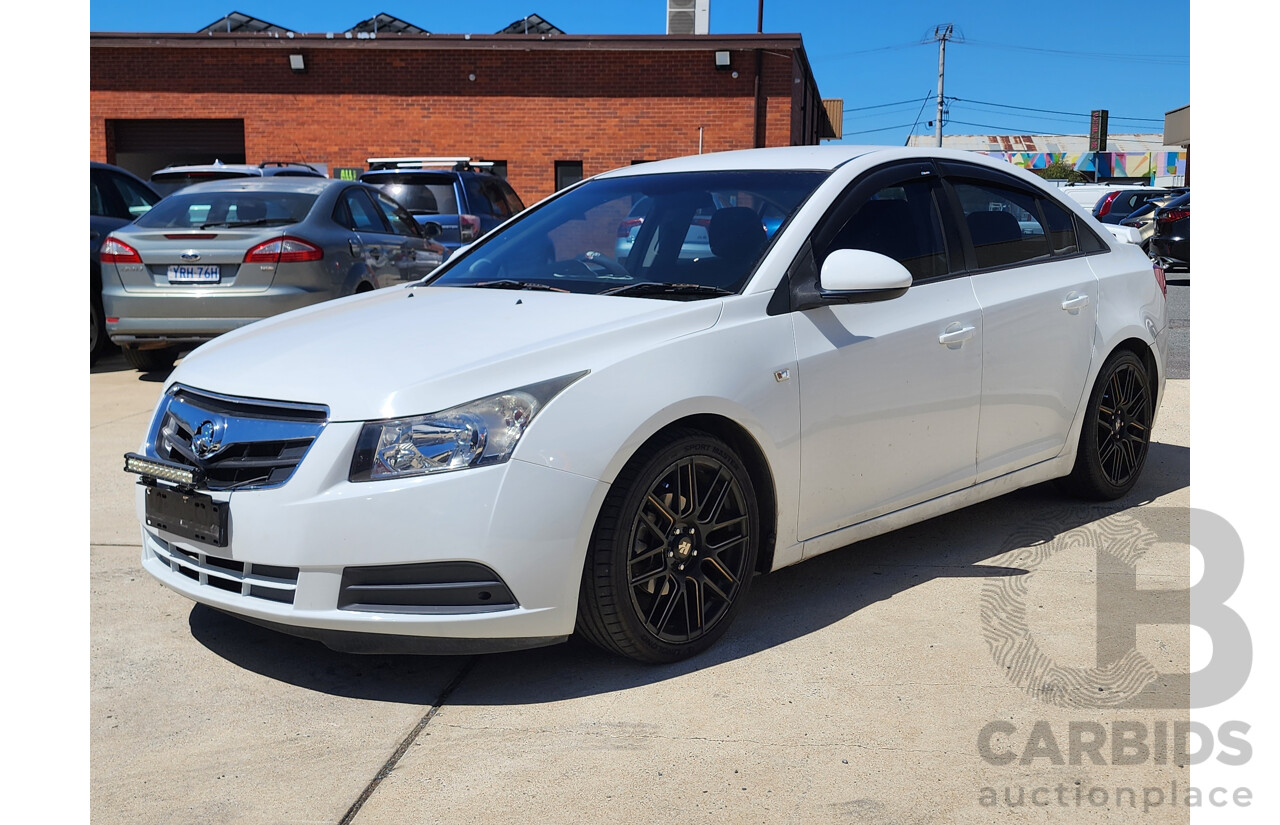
239, 443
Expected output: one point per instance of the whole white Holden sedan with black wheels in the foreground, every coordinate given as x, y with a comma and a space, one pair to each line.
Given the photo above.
542, 439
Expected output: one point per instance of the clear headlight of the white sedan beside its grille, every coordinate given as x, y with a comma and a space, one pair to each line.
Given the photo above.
479, 433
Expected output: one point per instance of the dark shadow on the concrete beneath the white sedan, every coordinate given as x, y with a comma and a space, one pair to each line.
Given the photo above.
781, 607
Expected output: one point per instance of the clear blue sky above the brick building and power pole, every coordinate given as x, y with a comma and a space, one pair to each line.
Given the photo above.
1021, 68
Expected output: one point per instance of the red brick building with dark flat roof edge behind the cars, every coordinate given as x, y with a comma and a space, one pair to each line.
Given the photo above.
546, 107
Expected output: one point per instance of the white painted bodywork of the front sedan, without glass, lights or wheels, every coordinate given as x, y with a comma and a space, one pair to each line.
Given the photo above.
863, 420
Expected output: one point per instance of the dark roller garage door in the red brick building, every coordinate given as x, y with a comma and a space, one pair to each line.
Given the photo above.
144, 146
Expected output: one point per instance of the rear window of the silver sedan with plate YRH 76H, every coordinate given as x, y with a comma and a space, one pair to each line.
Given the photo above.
195, 210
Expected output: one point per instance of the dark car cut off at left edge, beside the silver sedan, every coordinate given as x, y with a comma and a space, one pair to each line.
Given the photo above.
116, 198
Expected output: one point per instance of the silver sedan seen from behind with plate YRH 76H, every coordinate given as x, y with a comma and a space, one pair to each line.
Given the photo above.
221, 255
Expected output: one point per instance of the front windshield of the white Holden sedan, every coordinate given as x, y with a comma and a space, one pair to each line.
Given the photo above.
693, 235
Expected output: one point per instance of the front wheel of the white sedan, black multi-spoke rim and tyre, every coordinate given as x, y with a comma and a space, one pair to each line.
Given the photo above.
673, 553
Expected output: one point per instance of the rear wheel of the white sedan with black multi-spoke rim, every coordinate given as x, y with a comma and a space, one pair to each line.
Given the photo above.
1117, 430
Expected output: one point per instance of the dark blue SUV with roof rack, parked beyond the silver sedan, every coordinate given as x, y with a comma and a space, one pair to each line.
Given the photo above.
452, 194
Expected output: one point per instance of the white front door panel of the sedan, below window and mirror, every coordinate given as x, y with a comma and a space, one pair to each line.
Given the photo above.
877, 437
